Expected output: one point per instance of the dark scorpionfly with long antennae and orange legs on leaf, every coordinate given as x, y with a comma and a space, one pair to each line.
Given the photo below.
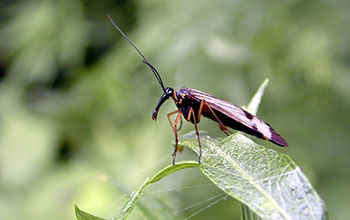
192, 104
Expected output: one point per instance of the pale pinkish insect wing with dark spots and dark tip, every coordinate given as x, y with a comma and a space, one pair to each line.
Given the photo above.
239, 115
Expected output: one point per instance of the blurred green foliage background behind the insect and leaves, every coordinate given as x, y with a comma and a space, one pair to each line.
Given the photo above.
76, 100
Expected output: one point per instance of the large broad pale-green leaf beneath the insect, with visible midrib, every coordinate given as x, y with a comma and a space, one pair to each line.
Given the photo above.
269, 183
